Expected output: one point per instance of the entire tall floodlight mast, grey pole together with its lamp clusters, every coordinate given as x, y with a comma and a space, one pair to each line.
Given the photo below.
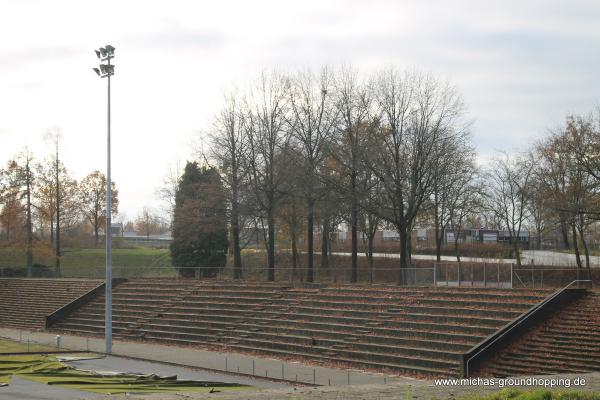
106, 71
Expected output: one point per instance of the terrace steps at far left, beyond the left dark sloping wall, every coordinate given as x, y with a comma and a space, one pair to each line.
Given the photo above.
25, 303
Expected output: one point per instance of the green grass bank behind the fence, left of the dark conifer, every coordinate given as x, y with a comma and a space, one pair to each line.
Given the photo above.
90, 263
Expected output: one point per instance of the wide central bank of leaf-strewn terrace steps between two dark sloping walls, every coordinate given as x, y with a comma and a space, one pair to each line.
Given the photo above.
419, 331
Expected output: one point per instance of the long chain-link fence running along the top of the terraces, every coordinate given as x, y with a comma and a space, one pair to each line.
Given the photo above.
493, 275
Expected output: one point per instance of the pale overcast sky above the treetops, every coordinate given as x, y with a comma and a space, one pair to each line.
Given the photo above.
521, 66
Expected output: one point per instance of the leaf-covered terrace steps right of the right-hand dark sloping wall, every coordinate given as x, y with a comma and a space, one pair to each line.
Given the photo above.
568, 342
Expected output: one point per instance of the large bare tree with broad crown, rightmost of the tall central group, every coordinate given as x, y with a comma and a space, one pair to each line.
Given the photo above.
416, 114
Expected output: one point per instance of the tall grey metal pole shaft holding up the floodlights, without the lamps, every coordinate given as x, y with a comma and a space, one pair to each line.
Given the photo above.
108, 235
